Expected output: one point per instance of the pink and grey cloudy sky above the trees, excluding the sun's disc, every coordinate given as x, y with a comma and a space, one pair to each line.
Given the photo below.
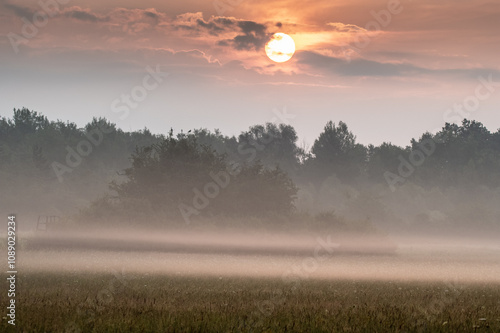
390, 69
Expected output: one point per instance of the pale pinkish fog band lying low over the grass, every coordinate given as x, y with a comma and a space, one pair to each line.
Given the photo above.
258, 254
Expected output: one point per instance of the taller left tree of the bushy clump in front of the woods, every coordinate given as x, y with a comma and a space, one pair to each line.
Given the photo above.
165, 174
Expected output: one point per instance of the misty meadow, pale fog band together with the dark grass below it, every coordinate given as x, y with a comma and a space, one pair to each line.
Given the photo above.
205, 279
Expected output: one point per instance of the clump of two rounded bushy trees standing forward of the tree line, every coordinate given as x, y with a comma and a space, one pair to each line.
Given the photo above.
172, 173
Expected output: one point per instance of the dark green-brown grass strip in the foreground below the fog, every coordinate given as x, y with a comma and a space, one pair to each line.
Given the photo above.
116, 303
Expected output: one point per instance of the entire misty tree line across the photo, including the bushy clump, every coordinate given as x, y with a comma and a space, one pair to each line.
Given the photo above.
205, 173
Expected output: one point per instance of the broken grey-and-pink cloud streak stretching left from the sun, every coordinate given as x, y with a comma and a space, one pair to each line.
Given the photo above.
186, 30
